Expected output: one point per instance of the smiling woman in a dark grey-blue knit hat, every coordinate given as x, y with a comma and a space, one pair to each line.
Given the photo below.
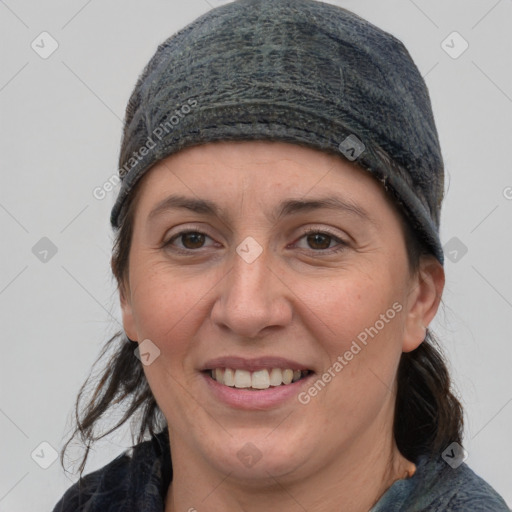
279, 263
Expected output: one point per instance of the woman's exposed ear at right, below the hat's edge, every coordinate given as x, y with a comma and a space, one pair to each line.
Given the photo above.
423, 303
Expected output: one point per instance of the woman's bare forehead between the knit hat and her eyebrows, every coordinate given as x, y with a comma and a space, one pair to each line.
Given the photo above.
259, 172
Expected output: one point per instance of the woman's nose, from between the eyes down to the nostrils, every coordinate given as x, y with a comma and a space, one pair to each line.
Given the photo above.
253, 298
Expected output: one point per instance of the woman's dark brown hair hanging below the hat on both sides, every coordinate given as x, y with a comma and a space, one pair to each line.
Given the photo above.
428, 416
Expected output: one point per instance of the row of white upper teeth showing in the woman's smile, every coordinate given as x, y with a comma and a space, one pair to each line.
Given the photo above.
257, 380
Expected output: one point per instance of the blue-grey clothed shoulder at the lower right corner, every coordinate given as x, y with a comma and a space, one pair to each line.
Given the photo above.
458, 490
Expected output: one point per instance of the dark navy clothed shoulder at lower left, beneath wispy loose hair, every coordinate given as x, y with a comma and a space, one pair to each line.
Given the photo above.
140, 475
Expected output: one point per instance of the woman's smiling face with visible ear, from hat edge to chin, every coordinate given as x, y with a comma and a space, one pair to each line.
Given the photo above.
274, 258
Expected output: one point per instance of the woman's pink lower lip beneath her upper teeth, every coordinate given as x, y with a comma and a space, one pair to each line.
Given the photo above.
241, 398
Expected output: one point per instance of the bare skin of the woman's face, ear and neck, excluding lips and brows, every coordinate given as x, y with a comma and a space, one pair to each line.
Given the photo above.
297, 300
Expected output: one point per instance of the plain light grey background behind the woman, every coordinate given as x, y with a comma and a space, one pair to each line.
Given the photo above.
60, 133
